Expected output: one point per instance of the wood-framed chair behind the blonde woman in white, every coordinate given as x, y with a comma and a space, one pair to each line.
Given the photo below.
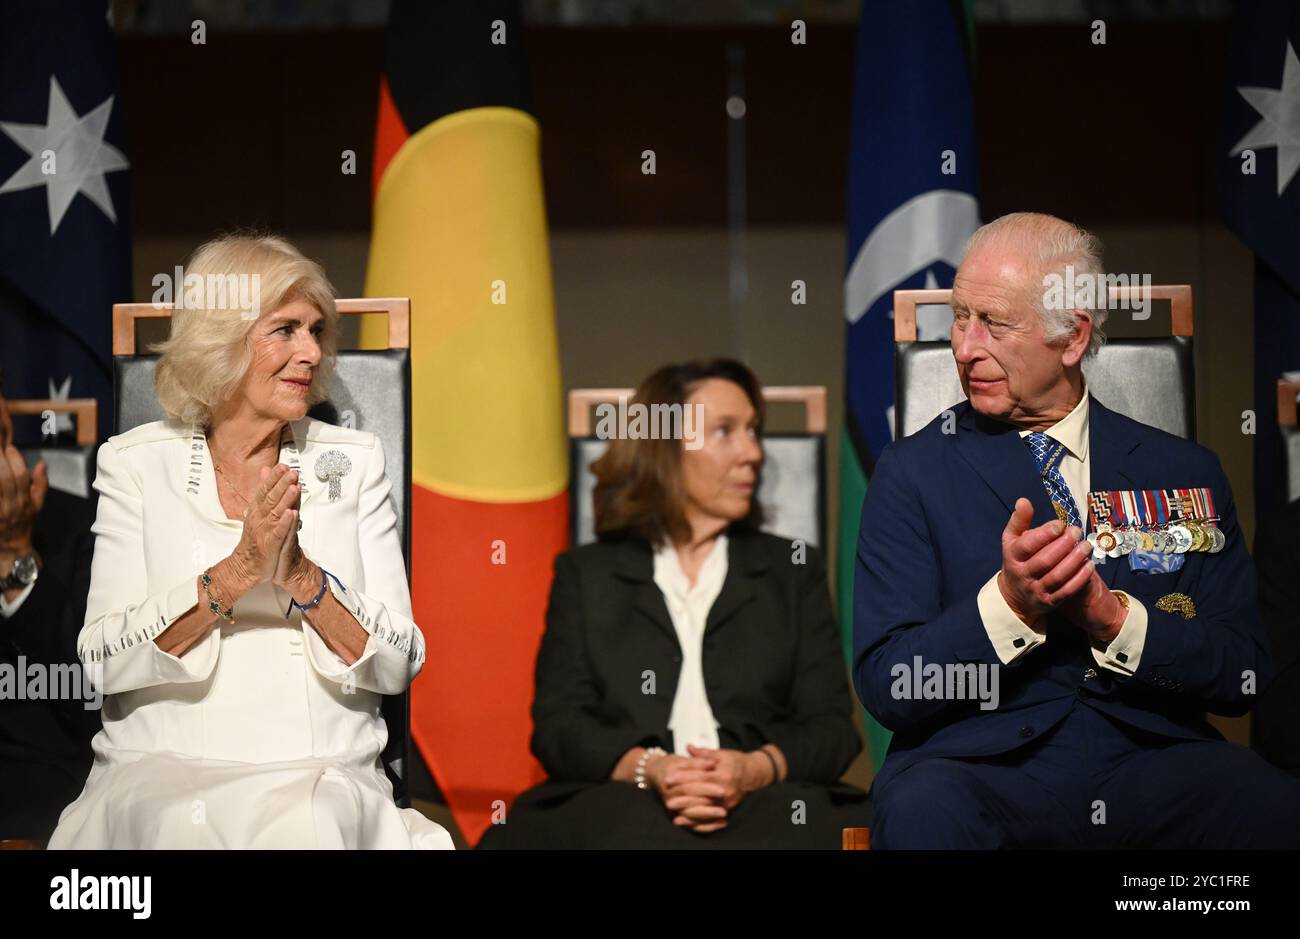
371, 392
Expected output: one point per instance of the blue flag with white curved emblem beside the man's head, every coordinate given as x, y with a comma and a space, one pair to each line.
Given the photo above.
912, 207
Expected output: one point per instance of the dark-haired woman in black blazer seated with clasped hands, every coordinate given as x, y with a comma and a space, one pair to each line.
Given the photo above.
691, 685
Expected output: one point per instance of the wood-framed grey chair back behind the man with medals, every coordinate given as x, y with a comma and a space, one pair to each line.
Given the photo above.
1149, 380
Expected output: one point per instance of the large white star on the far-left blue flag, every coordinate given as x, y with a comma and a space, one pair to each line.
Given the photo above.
81, 155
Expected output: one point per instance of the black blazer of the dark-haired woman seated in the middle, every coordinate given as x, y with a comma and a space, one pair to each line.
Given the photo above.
773, 661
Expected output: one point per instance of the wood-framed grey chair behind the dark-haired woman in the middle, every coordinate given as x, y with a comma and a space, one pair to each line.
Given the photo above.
791, 462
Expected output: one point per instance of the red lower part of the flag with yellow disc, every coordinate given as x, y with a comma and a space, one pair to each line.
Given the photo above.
483, 624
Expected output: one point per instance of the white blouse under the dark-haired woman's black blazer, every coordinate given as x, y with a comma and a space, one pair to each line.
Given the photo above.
692, 717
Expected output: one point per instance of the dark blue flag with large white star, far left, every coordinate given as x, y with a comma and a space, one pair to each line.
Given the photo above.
66, 254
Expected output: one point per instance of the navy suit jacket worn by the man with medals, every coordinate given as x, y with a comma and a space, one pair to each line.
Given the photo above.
931, 538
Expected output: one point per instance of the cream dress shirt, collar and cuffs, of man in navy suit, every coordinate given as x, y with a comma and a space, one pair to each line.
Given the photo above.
1003, 626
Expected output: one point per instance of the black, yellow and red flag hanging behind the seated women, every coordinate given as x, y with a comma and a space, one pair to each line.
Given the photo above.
461, 228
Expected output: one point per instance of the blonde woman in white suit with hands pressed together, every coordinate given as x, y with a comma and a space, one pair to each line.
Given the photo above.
249, 603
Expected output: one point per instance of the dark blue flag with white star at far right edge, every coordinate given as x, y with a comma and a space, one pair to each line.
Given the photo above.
1259, 184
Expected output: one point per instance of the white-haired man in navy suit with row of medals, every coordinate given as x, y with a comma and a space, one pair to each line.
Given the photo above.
1042, 698
